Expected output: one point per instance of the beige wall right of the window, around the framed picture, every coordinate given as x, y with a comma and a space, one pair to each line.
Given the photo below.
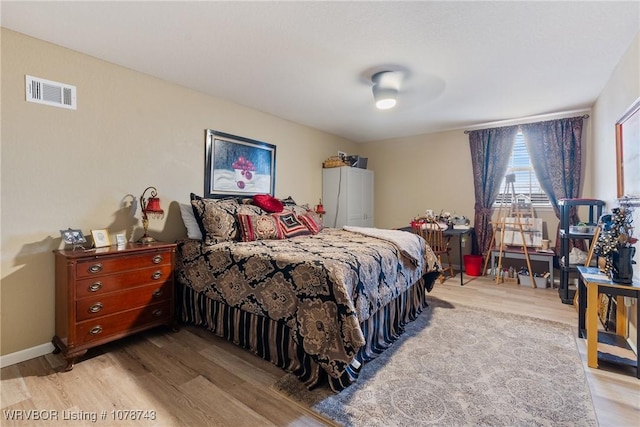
622, 90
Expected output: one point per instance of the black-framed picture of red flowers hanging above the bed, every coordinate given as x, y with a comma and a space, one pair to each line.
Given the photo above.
238, 167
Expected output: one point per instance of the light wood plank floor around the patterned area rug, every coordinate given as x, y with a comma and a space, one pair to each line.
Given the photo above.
194, 378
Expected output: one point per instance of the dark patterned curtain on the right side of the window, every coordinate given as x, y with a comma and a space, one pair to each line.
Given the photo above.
555, 148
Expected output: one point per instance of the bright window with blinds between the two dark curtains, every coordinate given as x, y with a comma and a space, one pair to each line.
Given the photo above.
526, 181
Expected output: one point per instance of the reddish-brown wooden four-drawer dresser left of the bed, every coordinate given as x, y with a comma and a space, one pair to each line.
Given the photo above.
108, 293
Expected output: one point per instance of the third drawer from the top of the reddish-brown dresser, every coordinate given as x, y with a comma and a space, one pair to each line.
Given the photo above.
114, 302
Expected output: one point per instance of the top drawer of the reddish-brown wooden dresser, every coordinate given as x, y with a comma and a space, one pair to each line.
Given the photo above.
115, 264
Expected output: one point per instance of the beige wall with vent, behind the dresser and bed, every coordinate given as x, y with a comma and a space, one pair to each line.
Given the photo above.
64, 168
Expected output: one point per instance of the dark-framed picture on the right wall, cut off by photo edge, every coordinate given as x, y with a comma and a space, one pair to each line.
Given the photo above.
628, 152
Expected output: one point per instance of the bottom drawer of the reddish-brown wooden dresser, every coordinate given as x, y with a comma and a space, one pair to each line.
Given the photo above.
121, 323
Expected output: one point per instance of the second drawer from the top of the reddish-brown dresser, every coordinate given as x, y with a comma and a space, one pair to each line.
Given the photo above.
116, 282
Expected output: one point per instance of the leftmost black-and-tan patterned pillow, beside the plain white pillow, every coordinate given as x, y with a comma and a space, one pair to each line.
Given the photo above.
217, 218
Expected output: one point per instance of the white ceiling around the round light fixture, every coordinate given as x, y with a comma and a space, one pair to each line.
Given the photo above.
466, 63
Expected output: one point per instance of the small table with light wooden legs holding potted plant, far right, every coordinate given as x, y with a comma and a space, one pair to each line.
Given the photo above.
591, 283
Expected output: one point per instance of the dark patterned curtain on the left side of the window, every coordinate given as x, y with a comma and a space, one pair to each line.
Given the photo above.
490, 153
